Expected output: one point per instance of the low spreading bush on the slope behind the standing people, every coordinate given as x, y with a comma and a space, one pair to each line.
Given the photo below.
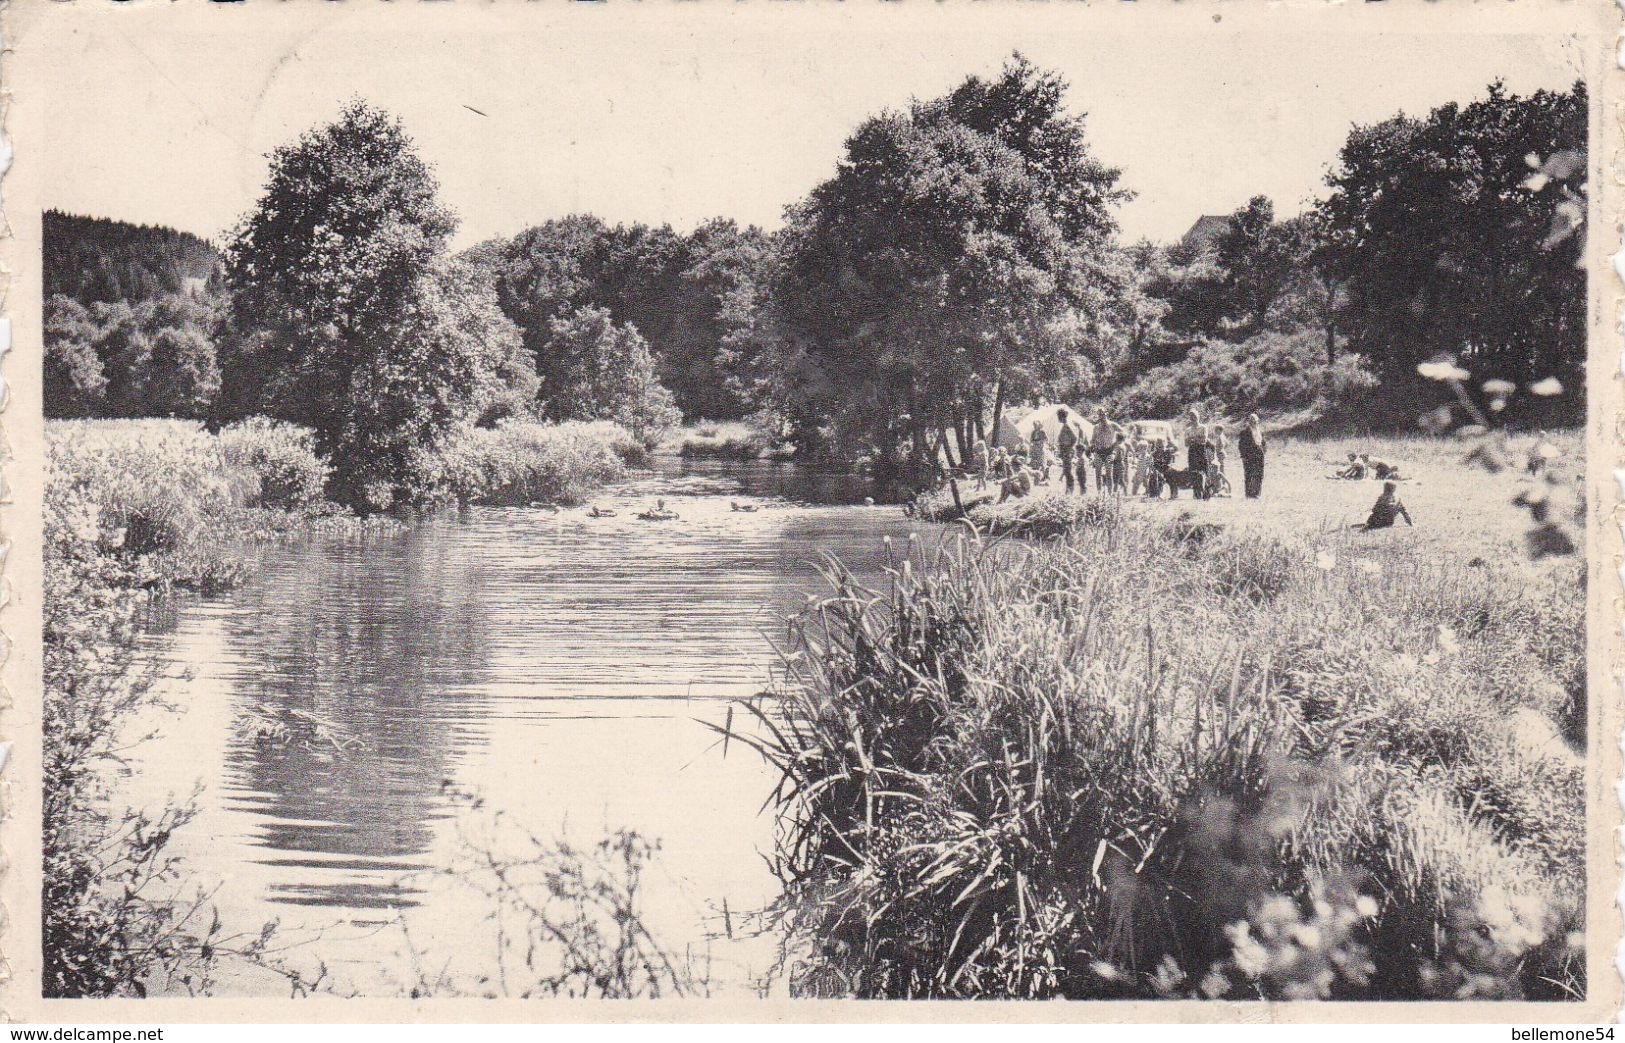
1270, 373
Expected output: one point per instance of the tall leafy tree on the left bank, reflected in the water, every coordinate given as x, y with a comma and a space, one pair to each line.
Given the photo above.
345, 319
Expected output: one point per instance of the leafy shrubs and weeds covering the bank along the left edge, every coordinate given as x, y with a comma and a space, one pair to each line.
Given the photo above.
129, 508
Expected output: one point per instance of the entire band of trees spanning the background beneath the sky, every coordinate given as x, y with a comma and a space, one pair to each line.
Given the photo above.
963, 259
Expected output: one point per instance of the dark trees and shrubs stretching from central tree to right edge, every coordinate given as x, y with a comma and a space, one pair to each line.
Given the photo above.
1454, 235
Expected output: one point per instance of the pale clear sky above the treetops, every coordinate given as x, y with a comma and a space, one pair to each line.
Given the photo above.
635, 118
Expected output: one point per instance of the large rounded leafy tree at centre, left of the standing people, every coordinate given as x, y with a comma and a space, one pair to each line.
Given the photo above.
956, 259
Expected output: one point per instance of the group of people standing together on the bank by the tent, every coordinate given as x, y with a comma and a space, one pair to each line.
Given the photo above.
1124, 459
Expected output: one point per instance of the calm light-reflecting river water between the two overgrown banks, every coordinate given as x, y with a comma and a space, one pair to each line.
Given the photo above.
501, 672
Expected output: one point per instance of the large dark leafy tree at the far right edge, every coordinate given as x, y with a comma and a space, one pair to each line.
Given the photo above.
1447, 245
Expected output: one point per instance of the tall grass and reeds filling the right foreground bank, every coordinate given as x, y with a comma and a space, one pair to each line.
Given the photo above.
1158, 760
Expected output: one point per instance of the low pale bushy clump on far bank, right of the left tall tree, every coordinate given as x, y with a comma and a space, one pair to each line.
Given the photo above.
521, 464
